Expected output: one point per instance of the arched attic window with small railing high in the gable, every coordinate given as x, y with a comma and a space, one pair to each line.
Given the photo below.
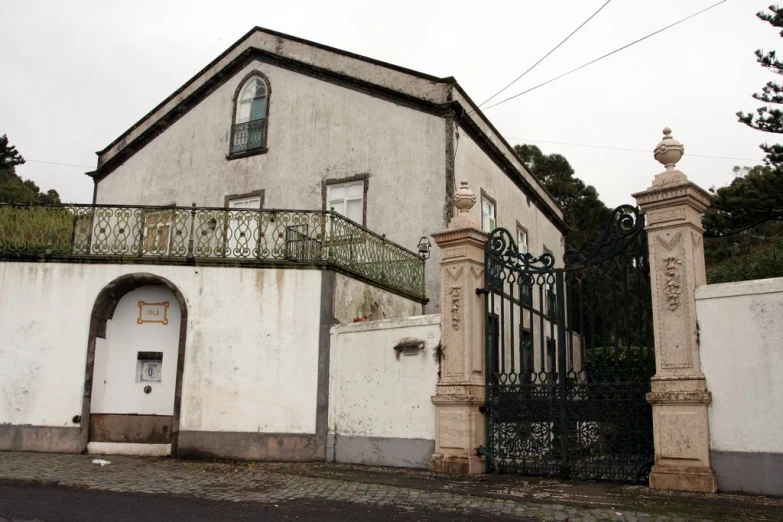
251, 108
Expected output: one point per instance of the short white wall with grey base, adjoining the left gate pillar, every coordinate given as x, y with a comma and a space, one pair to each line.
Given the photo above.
380, 407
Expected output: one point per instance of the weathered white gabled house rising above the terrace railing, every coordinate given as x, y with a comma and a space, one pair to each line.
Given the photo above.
280, 122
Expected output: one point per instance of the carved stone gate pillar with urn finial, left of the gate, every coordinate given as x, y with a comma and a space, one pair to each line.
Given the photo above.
461, 389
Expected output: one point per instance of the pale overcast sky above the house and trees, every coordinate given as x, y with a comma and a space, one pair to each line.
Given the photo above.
76, 73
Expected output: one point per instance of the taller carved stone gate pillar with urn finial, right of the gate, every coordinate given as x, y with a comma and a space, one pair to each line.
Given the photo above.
679, 395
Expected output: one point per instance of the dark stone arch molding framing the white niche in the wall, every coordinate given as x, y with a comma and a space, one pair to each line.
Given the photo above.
102, 311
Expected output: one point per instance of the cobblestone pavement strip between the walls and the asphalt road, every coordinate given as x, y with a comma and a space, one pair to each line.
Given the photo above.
270, 484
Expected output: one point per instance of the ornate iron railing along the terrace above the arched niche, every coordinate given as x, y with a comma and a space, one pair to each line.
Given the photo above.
178, 235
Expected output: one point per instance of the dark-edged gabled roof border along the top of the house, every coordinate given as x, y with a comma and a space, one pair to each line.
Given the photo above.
422, 91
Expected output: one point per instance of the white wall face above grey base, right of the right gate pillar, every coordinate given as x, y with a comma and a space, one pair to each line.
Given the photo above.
741, 345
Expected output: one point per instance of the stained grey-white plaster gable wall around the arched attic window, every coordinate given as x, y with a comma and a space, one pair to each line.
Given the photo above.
317, 131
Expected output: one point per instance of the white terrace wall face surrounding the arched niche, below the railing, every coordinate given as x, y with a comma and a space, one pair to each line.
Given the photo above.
251, 354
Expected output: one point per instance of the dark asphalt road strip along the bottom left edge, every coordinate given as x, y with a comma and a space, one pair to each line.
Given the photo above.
24, 502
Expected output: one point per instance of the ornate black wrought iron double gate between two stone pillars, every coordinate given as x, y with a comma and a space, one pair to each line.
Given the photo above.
569, 356
